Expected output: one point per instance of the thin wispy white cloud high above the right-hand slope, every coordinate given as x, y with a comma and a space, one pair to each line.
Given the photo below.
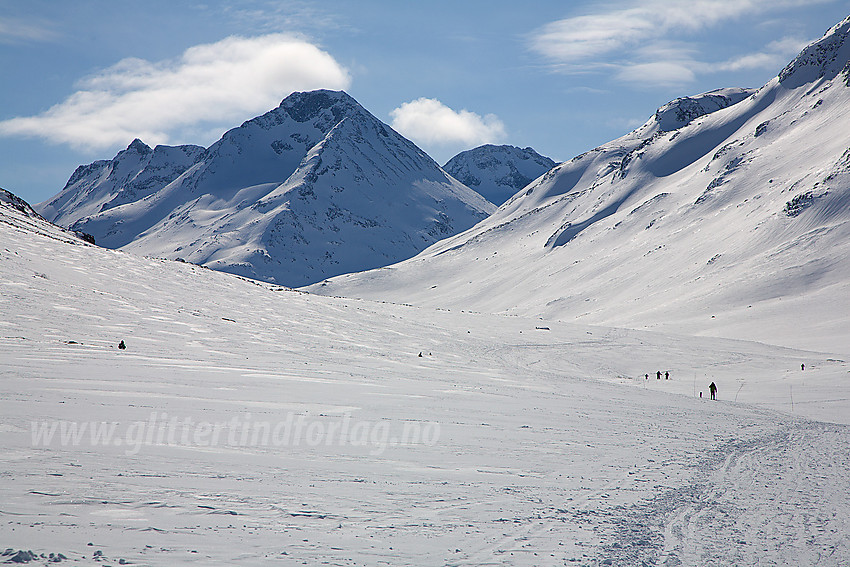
647, 41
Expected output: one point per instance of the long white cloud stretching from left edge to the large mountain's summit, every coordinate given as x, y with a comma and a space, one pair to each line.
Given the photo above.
208, 85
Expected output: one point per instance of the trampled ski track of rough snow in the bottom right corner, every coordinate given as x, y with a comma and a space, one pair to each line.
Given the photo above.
774, 500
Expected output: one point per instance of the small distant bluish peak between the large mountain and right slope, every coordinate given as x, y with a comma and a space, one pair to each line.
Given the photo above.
497, 172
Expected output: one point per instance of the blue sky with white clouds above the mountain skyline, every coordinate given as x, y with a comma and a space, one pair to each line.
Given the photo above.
81, 79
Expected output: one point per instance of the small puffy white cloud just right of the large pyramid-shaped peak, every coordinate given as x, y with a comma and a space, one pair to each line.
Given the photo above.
429, 122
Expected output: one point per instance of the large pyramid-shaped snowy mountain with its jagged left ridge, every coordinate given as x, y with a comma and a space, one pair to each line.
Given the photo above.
314, 188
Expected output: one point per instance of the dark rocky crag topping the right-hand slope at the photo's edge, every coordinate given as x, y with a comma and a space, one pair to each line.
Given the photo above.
822, 59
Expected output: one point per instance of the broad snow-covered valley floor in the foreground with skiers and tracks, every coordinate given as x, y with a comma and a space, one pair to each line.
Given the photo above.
246, 424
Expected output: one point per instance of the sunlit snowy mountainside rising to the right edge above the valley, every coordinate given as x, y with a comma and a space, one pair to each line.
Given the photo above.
726, 214
